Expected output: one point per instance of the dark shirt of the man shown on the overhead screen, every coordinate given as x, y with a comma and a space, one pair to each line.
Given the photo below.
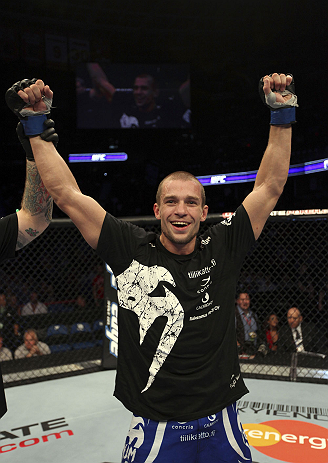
169, 112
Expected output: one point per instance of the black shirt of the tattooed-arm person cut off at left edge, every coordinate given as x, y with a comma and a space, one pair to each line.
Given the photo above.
8, 240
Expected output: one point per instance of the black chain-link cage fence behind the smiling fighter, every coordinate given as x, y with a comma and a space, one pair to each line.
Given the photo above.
286, 268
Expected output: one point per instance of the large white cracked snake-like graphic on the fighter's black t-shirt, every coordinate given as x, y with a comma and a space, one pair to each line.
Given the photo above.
135, 285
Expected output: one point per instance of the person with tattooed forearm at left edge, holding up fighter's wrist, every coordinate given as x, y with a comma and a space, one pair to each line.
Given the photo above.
20, 228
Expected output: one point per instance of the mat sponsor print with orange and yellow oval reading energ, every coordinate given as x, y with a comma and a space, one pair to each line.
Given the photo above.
280, 432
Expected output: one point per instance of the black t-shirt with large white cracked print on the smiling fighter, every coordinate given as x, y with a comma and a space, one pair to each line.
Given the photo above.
177, 349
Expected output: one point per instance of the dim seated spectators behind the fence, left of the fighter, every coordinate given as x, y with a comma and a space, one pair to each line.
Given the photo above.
26, 316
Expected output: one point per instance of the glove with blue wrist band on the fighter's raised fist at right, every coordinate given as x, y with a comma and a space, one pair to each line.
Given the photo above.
281, 113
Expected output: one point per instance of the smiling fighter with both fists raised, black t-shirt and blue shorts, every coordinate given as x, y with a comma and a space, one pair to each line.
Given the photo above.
178, 368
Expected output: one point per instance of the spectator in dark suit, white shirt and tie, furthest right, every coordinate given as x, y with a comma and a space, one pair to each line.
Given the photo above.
297, 336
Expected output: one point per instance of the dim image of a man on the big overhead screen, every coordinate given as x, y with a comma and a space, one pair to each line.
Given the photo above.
142, 106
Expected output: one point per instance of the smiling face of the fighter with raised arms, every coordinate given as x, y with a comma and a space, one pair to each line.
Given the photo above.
180, 212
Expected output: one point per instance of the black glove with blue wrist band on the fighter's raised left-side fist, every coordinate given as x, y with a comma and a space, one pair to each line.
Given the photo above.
32, 121
